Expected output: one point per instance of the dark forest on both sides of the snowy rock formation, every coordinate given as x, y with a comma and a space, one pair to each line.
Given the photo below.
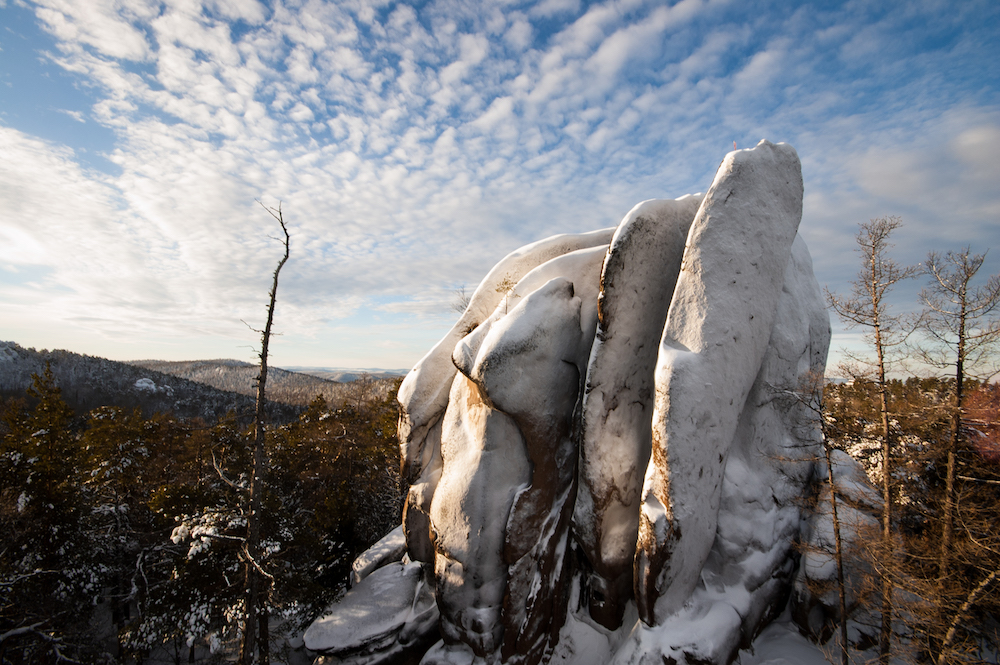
122, 532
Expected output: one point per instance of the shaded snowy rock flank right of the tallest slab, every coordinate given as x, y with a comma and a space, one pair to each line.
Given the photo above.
745, 579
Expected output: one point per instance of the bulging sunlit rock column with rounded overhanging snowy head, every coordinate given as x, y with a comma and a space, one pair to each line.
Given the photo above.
508, 461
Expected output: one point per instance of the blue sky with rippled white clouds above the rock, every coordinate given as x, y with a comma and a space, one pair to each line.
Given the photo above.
413, 145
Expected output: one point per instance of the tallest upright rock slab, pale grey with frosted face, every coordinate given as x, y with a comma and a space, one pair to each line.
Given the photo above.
716, 334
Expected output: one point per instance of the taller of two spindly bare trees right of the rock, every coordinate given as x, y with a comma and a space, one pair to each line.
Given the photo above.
868, 307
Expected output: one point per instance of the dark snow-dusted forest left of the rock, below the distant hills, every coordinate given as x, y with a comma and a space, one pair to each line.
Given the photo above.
123, 533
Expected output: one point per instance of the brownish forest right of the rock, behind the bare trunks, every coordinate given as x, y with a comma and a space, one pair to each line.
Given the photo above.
939, 615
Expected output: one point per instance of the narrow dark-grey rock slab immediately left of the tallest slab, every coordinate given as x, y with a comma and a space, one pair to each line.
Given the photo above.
637, 282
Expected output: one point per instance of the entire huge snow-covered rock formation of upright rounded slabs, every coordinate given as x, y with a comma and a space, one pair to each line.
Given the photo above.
609, 452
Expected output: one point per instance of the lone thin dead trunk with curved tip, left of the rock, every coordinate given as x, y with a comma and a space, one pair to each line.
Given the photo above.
255, 631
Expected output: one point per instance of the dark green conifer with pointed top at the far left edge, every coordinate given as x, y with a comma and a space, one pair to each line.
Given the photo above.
48, 574
